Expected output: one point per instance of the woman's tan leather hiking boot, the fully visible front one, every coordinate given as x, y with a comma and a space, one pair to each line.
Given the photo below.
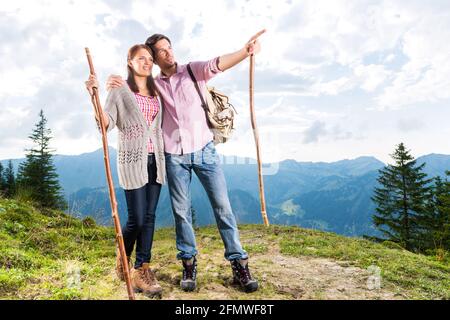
144, 280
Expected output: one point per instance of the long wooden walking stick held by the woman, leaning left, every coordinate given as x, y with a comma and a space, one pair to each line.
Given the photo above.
112, 195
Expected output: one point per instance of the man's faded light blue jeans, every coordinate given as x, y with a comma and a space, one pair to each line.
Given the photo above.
206, 165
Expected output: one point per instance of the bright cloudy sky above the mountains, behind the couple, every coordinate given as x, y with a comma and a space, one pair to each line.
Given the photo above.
334, 79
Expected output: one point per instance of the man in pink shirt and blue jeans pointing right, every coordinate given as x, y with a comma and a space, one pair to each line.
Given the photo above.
189, 147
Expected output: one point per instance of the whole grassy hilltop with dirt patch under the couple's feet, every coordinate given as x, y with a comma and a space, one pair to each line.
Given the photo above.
46, 254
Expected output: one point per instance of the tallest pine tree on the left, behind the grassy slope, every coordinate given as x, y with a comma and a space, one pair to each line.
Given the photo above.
37, 173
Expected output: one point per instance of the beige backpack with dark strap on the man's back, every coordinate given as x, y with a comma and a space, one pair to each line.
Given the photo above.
219, 111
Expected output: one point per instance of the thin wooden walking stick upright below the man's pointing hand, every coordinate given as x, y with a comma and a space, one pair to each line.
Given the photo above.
256, 135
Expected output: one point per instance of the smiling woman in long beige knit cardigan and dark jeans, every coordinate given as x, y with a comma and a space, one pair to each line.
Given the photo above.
135, 110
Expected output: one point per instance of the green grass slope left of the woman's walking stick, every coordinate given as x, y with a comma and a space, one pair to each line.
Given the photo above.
36, 246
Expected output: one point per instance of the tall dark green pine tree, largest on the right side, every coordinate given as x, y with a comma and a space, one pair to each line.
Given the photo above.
404, 195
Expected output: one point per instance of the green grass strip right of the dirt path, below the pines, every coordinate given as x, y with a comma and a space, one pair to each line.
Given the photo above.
419, 276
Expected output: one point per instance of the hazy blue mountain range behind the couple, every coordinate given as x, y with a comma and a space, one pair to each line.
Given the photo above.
327, 196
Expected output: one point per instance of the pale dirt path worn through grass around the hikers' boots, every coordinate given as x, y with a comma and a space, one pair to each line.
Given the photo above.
280, 277
